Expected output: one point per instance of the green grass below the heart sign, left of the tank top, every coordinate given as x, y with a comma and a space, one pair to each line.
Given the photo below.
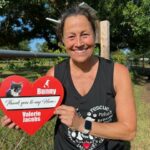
18, 140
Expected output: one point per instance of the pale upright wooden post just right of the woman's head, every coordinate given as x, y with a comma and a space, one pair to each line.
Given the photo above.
105, 39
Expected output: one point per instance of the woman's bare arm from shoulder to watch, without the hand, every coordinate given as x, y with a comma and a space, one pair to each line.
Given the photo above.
125, 127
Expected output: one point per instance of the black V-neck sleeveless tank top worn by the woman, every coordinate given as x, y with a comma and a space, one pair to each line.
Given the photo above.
98, 105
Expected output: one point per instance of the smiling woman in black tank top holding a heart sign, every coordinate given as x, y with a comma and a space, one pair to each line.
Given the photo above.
98, 111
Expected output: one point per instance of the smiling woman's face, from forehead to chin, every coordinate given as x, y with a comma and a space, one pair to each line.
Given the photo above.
78, 38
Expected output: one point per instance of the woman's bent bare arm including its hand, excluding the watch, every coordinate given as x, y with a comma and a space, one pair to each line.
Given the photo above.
125, 127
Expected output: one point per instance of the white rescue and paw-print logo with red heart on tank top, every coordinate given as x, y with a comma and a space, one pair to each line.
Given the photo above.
86, 141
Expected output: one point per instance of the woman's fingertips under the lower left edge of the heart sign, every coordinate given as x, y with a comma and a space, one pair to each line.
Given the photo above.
5, 121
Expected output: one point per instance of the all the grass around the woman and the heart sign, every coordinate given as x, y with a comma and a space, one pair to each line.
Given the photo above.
43, 139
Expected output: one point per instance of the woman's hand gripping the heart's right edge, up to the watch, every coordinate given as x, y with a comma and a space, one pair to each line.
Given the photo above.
69, 117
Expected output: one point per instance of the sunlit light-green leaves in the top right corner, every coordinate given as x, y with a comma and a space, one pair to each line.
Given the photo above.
137, 17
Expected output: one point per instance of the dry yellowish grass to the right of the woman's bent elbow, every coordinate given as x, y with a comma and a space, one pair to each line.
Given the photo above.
142, 140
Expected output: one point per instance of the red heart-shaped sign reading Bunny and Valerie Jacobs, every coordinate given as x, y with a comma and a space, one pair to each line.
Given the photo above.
30, 105
